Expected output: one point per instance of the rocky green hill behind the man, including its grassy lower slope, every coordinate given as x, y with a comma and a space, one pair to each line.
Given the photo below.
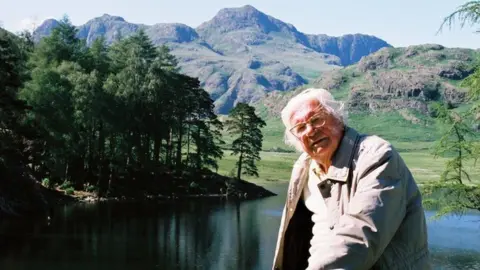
387, 93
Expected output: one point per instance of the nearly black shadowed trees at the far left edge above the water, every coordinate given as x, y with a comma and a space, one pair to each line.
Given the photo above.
19, 194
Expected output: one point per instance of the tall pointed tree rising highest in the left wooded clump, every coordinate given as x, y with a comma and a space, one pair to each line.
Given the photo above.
57, 83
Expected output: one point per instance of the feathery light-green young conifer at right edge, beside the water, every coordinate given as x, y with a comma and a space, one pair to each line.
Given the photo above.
454, 192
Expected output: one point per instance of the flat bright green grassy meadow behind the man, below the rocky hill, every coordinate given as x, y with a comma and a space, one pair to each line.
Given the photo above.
414, 140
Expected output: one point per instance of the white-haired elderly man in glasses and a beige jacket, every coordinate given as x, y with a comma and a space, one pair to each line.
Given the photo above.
352, 203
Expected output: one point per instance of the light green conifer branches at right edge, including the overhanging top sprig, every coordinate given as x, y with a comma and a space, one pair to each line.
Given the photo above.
459, 141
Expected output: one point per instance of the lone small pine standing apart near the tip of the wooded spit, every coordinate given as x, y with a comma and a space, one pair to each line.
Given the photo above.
244, 124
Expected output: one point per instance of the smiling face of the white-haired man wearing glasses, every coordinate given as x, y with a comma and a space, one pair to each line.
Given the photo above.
318, 131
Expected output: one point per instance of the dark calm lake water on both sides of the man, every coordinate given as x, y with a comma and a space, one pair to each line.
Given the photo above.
198, 234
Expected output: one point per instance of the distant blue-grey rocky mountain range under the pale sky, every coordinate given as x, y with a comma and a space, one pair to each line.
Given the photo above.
241, 53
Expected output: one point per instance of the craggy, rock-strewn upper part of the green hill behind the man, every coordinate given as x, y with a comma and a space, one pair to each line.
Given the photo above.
399, 80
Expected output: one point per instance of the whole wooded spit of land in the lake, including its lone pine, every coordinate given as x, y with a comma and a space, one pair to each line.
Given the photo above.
112, 122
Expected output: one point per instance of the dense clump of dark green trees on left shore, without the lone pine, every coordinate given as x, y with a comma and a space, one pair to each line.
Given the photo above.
101, 118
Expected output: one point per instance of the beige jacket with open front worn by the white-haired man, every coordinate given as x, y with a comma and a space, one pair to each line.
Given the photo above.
375, 210
